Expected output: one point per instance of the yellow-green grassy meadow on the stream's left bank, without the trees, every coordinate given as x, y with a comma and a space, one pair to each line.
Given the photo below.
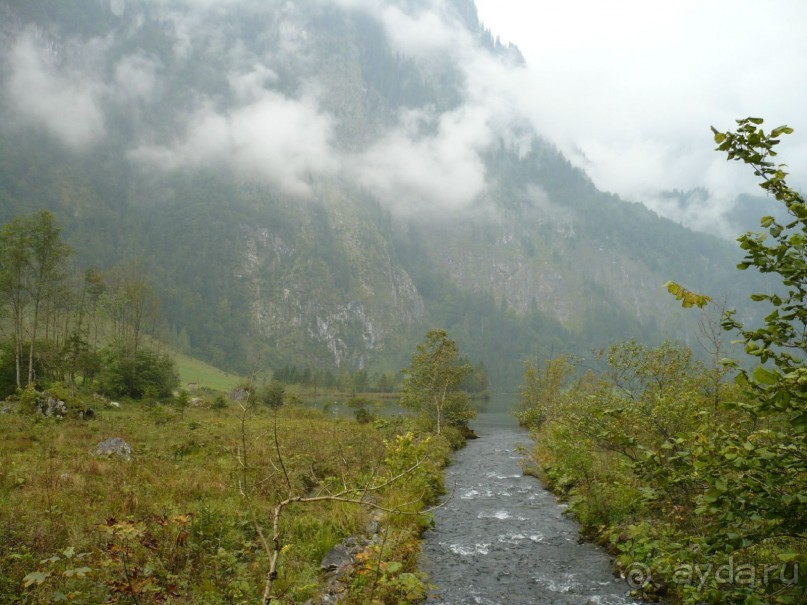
173, 524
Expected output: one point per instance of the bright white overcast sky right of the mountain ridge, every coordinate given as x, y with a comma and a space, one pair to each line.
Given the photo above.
628, 88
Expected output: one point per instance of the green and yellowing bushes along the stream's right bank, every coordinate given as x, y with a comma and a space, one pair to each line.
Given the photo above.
698, 486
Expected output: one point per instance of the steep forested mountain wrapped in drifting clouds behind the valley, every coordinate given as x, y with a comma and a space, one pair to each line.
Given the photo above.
319, 183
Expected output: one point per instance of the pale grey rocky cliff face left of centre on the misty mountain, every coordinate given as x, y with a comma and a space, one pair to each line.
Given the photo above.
342, 307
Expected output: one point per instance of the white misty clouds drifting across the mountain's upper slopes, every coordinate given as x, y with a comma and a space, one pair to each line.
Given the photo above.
257, 122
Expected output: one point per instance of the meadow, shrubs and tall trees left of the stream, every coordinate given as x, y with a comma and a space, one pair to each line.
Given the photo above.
214, 501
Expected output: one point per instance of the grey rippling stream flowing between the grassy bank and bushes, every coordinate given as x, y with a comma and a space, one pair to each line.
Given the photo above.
503, 539
